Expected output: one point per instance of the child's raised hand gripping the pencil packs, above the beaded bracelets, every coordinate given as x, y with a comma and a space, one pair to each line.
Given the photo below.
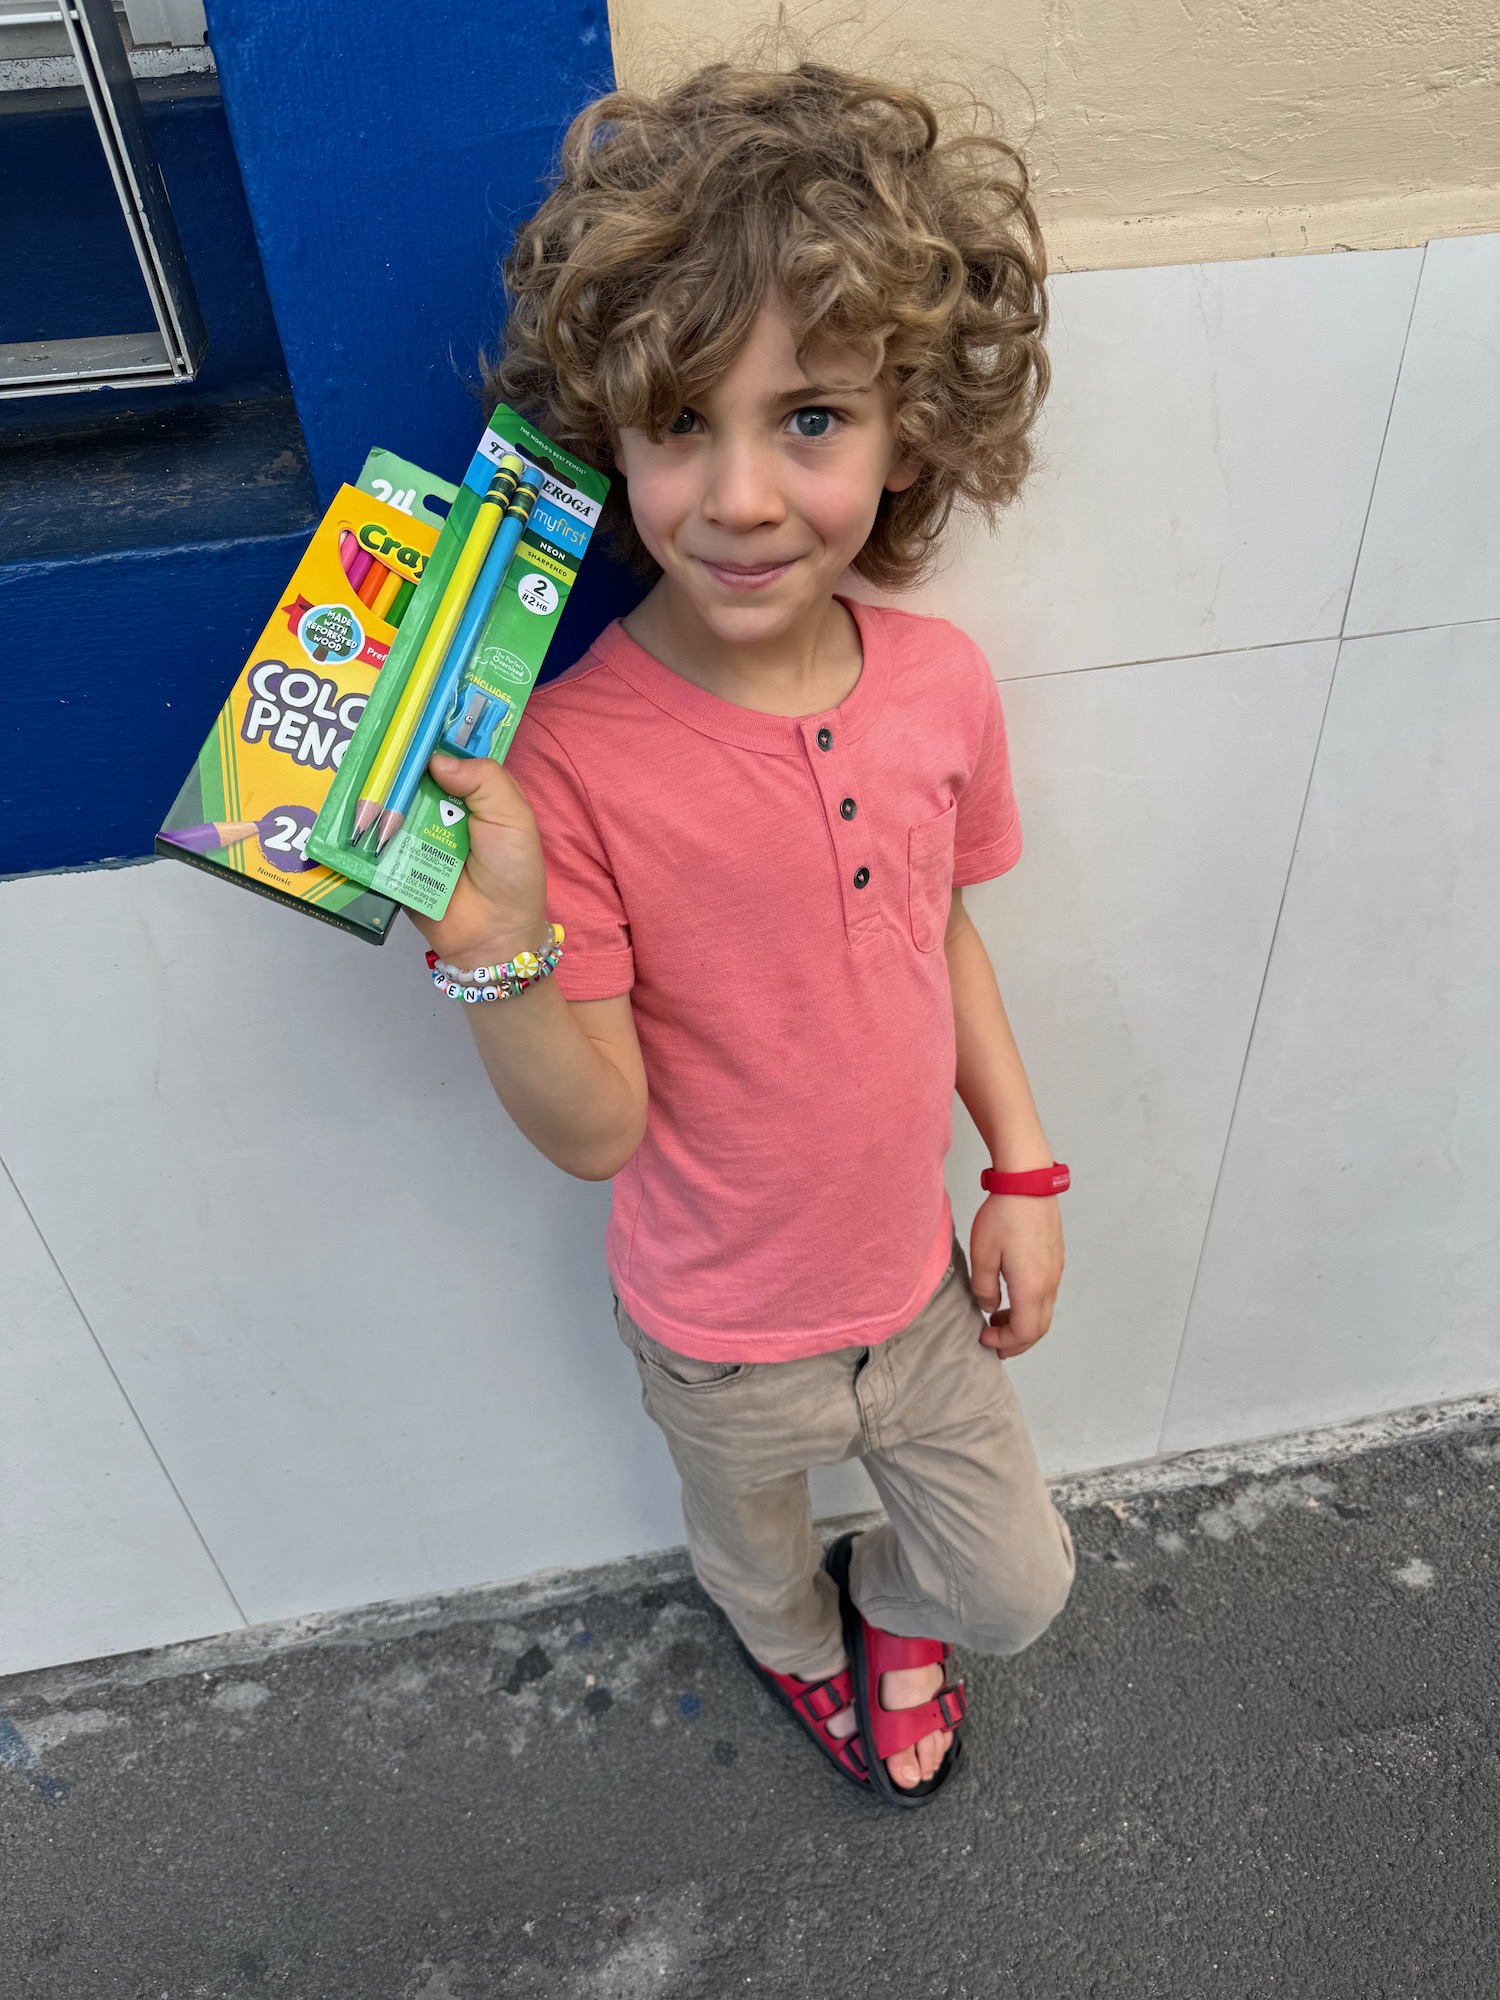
499, 903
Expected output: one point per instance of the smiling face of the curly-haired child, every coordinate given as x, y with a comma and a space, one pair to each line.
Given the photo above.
763, 495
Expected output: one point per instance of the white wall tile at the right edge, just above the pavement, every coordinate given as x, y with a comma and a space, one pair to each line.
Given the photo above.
1355, 1253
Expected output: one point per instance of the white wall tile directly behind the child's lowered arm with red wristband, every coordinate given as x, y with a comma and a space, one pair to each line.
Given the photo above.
1131, 945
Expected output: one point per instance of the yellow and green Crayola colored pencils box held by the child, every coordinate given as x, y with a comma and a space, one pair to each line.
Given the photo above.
253, 797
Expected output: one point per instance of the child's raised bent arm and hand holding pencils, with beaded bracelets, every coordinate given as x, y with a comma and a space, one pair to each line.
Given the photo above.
569, 1073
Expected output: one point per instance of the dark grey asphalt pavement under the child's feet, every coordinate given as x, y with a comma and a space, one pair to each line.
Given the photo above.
1259, 1755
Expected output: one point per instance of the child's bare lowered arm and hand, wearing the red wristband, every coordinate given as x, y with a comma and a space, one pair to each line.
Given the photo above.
1015, 1237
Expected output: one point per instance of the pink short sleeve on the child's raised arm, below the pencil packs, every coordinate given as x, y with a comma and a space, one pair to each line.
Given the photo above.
581, 889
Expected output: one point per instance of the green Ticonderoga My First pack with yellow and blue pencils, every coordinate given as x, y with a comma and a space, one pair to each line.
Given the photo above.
463, 665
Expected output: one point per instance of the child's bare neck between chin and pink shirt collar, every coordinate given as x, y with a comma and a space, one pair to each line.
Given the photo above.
799, 673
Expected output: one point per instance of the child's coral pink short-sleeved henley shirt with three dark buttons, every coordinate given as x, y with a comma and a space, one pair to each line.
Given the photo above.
773, 895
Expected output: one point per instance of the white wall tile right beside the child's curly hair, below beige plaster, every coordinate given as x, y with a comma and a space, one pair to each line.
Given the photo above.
1205, 465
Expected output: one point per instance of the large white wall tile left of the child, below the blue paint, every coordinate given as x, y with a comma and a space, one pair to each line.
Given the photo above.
365, 1327
